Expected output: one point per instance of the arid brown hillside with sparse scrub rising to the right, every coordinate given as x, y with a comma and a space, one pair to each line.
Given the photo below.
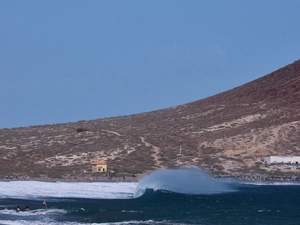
228, 133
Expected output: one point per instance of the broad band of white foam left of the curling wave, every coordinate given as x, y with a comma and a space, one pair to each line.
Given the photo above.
41, 190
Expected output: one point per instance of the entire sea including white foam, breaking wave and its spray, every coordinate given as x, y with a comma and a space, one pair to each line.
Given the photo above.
179, 196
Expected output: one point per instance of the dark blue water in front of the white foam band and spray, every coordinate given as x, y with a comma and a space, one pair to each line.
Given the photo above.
244, 204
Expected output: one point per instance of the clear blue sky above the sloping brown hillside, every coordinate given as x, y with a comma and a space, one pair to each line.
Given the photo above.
64, 61
